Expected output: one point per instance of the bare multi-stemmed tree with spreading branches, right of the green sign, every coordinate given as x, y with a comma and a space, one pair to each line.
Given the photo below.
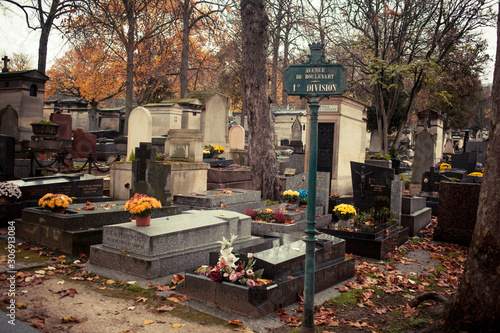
403, 42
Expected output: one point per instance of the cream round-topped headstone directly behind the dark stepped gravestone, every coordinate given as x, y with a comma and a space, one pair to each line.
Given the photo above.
139, 129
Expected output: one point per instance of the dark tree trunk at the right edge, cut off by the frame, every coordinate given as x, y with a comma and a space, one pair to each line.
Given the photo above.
476, 305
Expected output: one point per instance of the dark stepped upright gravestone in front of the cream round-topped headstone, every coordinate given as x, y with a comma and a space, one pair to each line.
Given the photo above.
149, 177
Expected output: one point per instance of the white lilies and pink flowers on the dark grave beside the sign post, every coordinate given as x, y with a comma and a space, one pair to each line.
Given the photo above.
227, 269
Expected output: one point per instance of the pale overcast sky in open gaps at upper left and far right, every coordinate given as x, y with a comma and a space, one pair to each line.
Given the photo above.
15, 37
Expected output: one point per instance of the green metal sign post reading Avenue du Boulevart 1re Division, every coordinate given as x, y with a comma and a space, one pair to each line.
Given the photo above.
312, 79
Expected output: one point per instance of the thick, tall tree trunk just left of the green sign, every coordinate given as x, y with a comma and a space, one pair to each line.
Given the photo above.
262, 157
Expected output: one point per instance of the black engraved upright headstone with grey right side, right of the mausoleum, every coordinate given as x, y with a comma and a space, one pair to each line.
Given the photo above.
375, 186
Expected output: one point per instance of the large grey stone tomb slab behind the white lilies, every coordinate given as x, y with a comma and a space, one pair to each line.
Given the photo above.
170, 244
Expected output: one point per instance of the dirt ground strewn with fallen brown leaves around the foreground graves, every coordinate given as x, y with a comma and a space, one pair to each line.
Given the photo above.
58, 294
